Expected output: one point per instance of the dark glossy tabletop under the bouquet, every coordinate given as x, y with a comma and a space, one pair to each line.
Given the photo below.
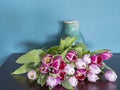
18, 82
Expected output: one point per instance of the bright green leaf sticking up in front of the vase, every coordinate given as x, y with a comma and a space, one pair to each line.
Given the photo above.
67, 42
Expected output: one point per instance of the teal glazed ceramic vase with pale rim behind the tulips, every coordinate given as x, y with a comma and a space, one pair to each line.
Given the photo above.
72, 29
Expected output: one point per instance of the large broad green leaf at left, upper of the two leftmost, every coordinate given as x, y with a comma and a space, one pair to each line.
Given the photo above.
31, 56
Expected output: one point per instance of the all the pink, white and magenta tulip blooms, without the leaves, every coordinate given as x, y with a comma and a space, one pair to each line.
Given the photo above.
77, 69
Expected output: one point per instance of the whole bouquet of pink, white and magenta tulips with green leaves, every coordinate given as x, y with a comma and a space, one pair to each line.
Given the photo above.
65, 64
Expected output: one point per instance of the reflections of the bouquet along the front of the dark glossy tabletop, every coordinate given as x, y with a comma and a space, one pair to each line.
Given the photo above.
99, 85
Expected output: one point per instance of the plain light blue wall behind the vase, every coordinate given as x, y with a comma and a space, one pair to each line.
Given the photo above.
28, 24
